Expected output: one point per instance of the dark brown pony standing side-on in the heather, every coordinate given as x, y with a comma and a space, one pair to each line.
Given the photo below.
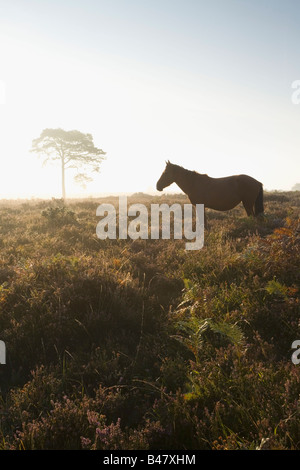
221, 194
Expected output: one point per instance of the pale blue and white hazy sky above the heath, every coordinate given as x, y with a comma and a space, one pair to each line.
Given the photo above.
205, 84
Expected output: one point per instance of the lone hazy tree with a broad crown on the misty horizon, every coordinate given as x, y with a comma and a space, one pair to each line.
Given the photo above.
74, 150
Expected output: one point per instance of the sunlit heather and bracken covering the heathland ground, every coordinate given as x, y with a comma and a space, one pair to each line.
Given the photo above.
123, 344
